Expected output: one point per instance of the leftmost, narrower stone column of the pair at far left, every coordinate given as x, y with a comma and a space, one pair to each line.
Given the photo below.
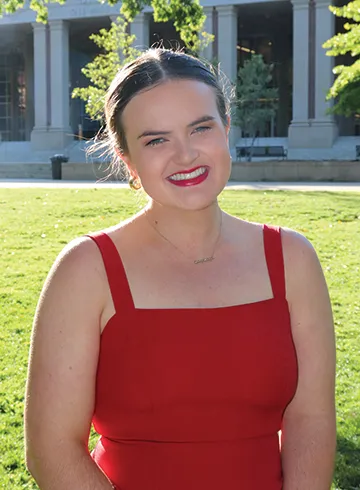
40, 86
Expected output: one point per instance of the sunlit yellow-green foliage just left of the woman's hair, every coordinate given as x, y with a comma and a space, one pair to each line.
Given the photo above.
117, 49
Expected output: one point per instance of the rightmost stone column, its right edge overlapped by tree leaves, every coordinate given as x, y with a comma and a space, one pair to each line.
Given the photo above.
324, 127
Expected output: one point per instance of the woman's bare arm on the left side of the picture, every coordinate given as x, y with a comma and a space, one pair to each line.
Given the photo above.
60, 389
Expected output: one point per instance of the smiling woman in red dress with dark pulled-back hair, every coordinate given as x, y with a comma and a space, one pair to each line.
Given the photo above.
189, 337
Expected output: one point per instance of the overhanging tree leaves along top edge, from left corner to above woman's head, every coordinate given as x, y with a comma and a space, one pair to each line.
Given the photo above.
187, 15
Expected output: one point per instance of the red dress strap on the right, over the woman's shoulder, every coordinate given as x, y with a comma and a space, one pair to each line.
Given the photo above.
275, 259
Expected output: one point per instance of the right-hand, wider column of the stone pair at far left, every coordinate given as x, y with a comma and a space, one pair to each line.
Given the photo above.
60, 134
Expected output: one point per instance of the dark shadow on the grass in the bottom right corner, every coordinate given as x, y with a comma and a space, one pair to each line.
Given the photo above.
347, 471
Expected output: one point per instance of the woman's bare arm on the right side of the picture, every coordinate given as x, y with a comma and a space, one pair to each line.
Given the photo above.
309, 426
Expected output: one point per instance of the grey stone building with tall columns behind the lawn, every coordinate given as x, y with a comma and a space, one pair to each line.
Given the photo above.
41, 64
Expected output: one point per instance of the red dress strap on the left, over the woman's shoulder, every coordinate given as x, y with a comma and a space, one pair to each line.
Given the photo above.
115, 272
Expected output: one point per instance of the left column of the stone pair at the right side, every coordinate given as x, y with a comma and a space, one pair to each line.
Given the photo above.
299, 127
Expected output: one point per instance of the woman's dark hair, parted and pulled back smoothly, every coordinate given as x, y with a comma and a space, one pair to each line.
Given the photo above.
148, 70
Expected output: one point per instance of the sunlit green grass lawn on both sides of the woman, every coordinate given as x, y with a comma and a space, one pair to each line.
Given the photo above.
37, 223
